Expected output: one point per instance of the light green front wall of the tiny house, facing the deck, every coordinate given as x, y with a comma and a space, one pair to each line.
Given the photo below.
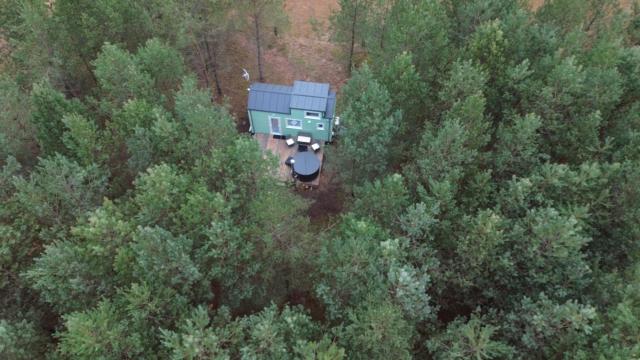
260, 124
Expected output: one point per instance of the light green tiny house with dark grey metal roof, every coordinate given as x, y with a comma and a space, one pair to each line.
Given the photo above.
306, 107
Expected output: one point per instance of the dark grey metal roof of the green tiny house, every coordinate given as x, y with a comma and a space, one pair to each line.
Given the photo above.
303, 95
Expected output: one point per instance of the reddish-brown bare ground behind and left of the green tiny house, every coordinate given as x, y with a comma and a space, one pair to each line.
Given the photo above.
304, 52
